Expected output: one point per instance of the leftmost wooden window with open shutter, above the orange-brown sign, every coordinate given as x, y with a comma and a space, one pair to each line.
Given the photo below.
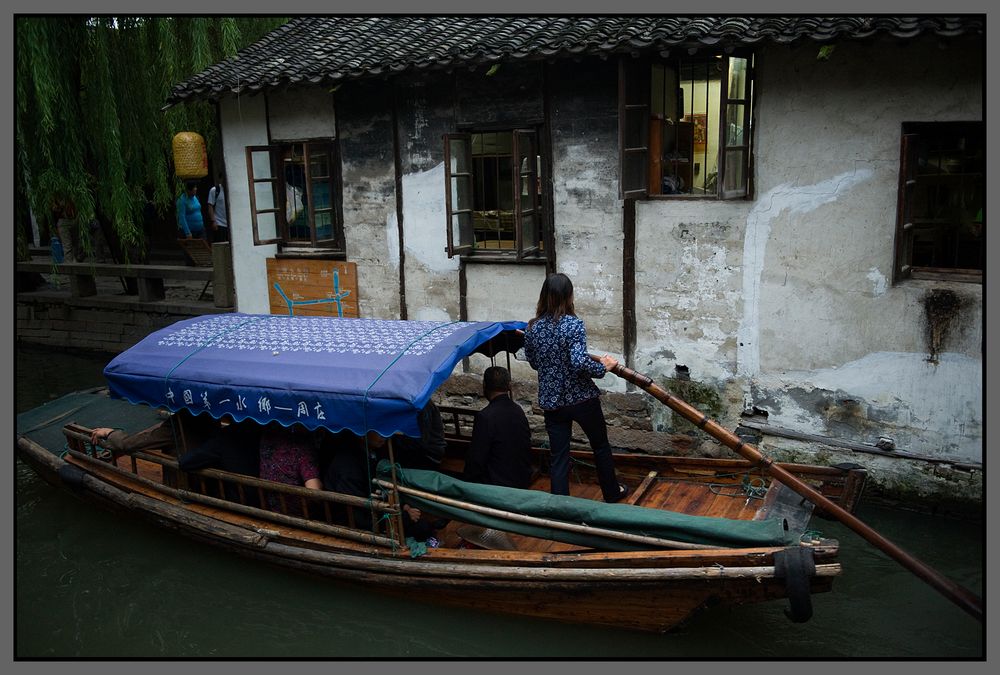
276, 153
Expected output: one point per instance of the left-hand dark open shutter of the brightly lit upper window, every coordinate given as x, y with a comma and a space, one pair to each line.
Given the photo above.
633, 126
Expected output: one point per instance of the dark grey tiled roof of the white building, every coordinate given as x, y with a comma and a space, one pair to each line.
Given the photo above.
337, 48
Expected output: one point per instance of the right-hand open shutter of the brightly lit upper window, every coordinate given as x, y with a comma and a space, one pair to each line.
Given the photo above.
734, 132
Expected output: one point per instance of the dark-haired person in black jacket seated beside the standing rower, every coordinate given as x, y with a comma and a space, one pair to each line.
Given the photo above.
500, 449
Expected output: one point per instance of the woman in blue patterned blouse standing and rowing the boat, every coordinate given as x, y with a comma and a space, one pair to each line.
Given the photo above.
555, 343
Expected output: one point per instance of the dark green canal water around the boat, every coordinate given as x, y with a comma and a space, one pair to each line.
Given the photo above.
92, 585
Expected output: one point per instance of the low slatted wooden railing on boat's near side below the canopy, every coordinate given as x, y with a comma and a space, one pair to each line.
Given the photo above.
176, 482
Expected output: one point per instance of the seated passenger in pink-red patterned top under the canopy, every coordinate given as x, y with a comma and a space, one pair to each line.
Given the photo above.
288, 456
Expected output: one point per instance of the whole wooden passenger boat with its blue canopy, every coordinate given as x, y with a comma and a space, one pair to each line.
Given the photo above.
693, 531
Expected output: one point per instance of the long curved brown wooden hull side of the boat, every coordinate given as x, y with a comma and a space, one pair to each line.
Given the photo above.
646, 590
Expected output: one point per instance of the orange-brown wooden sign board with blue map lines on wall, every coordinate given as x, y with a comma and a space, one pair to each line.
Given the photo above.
303, 287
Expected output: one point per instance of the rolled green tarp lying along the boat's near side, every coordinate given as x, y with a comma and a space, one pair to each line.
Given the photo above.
638, 520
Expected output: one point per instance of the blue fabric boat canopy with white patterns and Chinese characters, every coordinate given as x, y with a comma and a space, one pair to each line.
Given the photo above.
337, 373
